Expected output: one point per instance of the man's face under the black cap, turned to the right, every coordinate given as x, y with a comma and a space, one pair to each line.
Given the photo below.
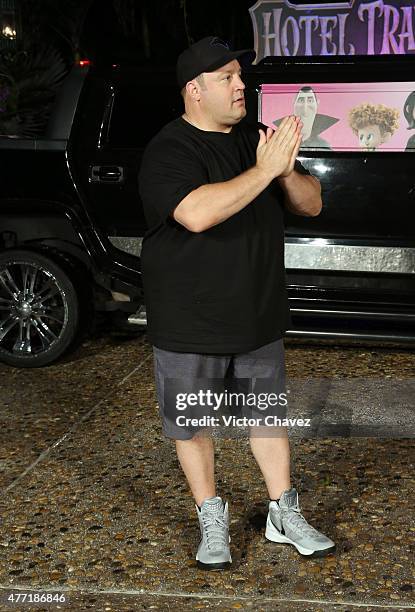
222, 101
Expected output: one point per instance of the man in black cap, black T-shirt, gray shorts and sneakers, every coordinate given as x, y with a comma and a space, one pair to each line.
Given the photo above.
213, 191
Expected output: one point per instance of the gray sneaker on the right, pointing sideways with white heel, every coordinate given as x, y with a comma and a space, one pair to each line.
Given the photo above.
286, 524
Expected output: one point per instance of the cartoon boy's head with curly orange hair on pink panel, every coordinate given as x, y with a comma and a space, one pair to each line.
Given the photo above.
373, 124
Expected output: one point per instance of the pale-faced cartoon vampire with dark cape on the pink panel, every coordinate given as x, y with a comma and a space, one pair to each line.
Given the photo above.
305, 106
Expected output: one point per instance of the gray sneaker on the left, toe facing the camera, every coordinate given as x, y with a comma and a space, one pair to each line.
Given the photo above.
213, 552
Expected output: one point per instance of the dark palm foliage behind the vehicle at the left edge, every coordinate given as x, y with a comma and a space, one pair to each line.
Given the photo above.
29, 80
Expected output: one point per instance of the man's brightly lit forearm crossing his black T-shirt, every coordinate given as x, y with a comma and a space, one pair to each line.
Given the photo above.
214, 203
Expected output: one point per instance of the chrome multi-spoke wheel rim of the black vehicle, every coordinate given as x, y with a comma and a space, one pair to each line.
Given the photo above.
33, 309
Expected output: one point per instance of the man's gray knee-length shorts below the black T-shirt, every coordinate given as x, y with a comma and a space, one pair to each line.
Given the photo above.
197, 393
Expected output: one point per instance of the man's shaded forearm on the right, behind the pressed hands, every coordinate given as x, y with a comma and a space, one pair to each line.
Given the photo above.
302, 194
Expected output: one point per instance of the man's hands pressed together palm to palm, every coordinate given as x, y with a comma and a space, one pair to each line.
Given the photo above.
277, 150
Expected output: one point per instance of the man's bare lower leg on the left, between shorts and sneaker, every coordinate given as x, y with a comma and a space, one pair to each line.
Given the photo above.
196, 456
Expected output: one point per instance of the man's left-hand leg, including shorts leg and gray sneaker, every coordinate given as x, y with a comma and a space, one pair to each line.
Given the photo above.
194, 451
